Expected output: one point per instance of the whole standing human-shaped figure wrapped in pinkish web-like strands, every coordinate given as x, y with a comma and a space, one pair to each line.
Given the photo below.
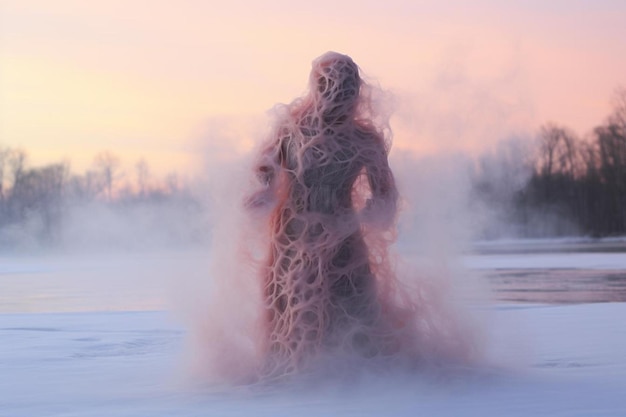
327, 282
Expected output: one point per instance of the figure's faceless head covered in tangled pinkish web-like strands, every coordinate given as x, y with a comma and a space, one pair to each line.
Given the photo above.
335, 83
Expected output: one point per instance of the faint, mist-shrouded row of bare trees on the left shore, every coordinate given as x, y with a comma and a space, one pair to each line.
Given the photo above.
38, 203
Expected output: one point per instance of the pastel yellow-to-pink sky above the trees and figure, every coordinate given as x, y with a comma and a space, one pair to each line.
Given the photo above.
152, 79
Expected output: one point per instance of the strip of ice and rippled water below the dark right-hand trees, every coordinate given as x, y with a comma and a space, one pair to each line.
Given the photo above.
554, 271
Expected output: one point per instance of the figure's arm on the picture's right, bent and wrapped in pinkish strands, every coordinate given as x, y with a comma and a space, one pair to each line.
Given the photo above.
380, 209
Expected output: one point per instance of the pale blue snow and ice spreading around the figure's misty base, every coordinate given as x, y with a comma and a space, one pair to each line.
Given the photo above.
93, 337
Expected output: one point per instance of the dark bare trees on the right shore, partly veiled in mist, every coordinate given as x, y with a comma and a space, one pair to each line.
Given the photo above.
573, 184
